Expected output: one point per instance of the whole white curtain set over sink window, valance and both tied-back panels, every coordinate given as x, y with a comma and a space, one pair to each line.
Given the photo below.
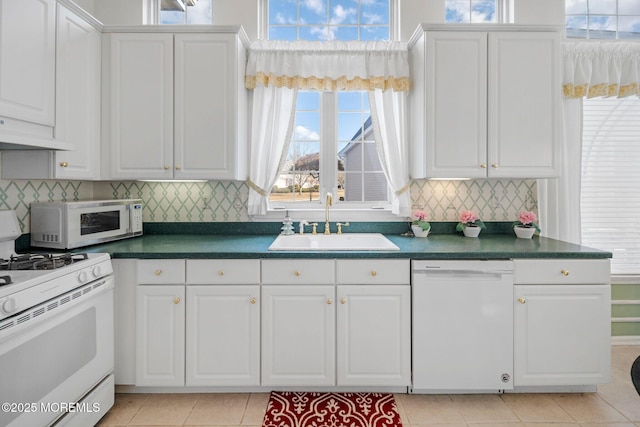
276, 70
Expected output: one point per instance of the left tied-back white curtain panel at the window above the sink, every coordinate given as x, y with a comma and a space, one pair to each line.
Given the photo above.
271, 127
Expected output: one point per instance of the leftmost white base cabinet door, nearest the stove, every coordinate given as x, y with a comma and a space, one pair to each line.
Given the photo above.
160, 311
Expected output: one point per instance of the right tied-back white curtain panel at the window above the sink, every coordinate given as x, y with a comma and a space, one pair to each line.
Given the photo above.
388, 115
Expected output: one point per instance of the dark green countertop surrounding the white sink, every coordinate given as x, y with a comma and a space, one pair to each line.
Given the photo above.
436, 246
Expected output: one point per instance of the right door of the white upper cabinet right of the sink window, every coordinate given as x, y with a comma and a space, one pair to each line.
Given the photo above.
525, 128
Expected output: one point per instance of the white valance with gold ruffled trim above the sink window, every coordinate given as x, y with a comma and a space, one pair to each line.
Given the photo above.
328, 66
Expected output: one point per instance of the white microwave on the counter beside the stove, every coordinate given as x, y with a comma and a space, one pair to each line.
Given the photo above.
68, 225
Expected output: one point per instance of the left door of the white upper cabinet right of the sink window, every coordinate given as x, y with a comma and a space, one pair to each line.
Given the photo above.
456, 104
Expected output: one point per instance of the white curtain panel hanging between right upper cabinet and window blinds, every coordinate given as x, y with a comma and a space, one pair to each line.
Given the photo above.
559, 199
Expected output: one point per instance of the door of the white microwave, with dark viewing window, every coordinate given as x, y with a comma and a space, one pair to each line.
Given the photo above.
97, 223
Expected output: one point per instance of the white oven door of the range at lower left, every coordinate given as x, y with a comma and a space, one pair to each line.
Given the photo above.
54, 354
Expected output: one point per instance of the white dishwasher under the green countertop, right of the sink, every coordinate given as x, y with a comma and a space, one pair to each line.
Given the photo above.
462, 326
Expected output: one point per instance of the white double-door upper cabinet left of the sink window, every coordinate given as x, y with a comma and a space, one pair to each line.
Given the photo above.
176, 106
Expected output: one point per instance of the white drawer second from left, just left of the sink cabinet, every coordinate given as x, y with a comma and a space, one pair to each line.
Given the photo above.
223, 271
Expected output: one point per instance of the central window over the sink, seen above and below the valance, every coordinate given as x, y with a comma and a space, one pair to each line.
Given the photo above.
332, 145
